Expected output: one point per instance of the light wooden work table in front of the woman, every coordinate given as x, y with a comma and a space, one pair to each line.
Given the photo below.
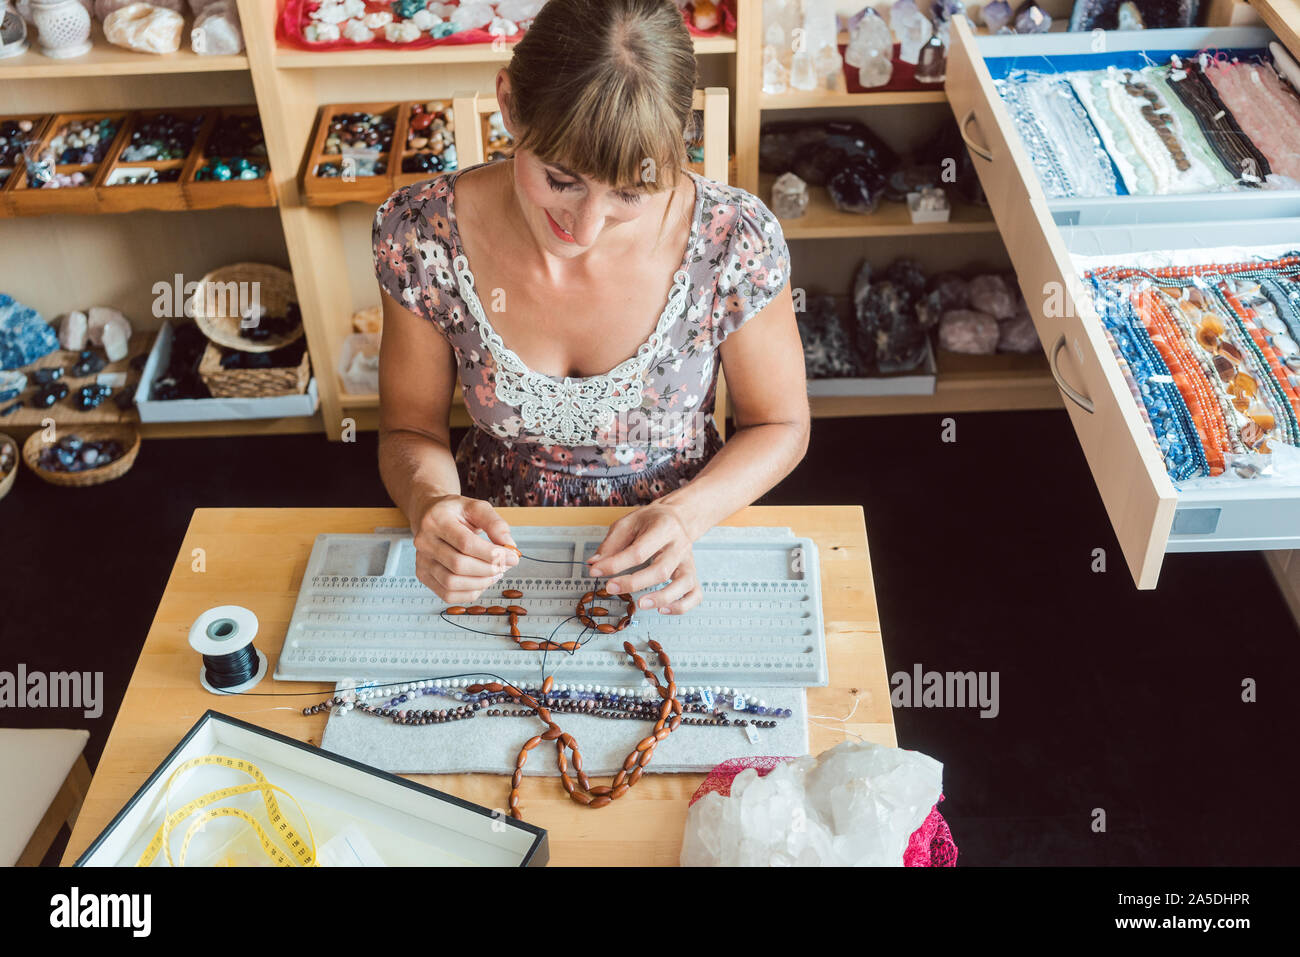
257, 558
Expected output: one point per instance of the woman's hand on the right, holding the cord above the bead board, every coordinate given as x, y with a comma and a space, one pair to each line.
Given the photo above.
657, 534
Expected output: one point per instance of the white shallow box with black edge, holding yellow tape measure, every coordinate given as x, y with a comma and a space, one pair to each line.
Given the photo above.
406, 824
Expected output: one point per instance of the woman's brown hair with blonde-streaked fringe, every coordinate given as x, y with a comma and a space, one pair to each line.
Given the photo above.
605, 89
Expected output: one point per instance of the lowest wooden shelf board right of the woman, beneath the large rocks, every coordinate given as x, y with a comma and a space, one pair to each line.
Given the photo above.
965, 384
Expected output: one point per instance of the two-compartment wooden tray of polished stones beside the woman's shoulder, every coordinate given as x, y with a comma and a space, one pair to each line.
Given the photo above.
362, 151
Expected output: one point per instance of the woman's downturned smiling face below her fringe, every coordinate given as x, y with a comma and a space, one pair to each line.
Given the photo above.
569, 213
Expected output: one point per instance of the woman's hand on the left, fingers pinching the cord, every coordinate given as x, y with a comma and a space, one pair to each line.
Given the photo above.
450, 557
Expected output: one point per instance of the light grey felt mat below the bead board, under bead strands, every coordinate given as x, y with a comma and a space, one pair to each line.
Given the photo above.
492, 744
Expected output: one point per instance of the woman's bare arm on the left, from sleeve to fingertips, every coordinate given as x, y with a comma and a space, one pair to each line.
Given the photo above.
418, 371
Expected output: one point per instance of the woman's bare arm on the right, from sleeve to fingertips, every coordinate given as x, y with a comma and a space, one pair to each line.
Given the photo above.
764, 361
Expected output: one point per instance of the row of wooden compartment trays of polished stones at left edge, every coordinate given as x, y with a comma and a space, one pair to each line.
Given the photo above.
120, 162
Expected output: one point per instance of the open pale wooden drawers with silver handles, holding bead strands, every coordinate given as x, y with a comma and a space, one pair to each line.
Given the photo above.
1150, 517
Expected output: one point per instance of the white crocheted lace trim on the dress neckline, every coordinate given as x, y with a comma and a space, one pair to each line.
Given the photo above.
571, 412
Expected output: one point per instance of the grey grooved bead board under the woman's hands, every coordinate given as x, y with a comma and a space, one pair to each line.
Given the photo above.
362, 610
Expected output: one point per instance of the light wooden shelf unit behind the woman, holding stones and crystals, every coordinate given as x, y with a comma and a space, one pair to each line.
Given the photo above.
328, 248
